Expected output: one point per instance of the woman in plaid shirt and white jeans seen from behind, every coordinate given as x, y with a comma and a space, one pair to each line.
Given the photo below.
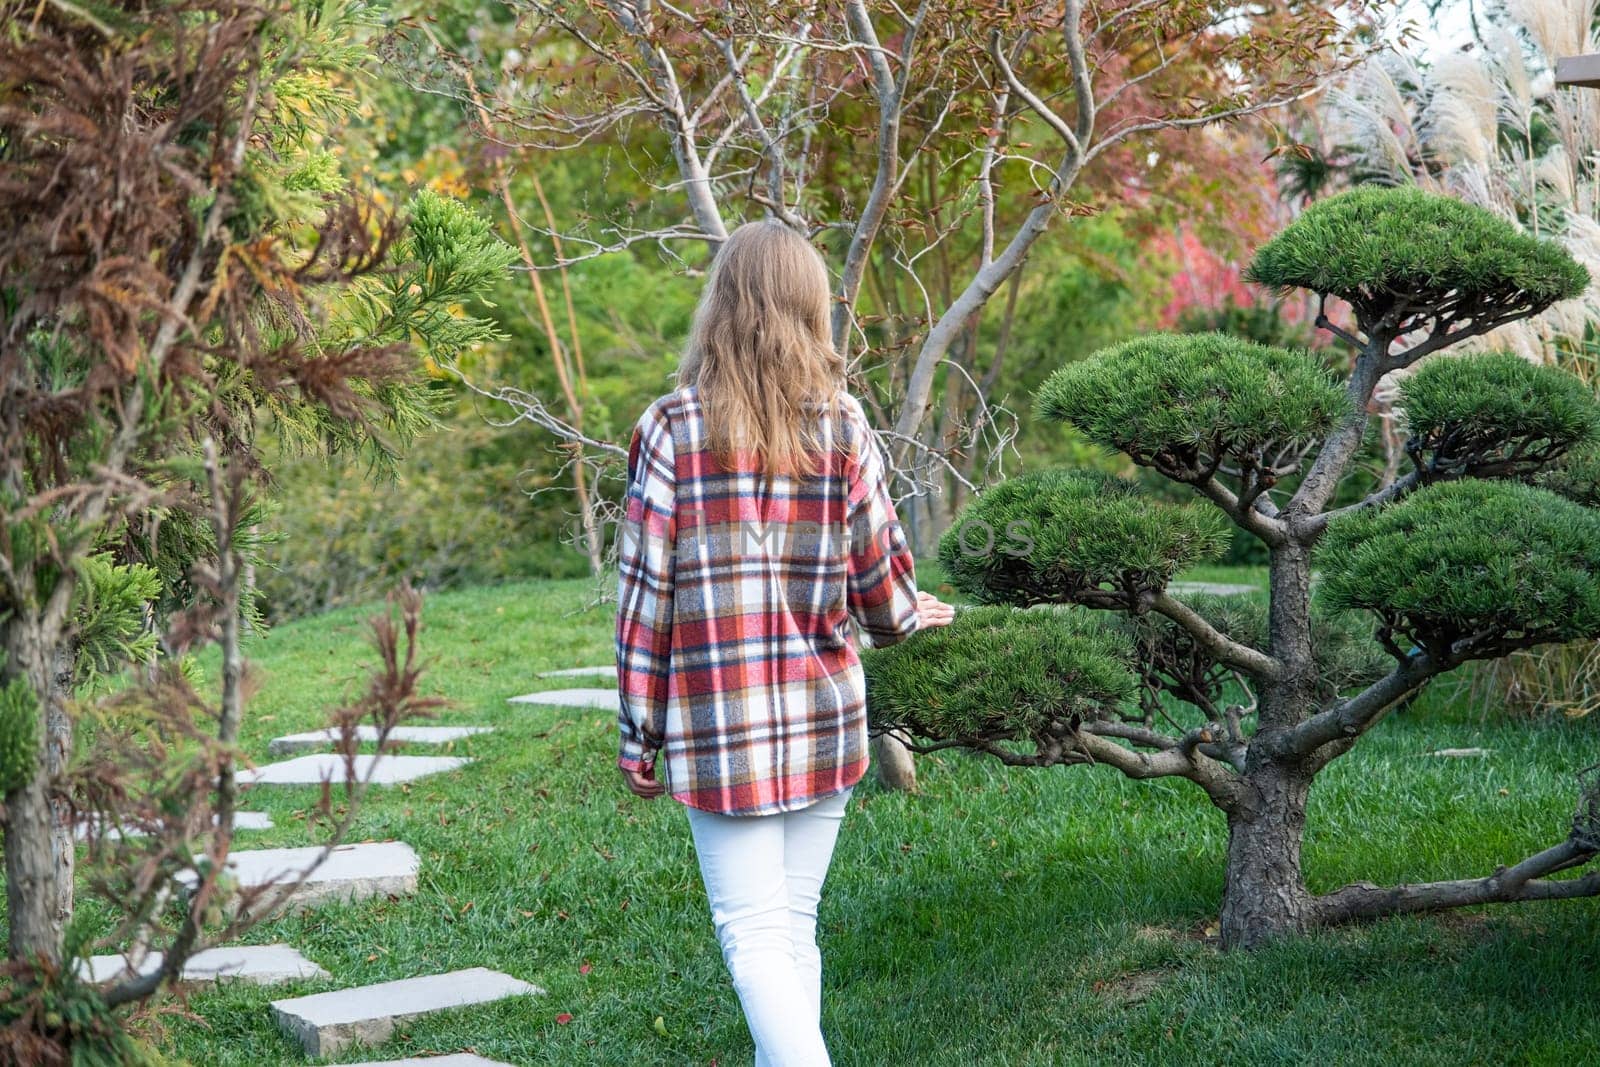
759, 527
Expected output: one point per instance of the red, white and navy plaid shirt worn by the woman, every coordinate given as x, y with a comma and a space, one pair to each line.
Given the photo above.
735, 604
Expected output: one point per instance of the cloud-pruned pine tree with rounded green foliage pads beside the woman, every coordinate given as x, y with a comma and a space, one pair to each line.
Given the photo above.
1489, 545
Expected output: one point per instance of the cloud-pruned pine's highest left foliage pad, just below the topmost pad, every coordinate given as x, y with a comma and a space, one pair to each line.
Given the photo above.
1183, 402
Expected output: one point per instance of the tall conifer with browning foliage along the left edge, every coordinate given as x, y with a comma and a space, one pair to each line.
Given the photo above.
185, 266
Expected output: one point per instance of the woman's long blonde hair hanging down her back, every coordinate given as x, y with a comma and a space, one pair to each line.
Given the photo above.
761, 353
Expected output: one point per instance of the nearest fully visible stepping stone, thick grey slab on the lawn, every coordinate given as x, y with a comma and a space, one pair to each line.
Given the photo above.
326, 1023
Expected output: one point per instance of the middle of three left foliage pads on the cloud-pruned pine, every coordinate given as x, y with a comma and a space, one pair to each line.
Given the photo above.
1073, 537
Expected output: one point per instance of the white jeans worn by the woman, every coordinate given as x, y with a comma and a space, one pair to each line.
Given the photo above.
764, 877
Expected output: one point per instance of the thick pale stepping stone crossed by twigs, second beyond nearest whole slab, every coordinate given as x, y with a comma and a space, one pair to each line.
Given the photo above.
351, 873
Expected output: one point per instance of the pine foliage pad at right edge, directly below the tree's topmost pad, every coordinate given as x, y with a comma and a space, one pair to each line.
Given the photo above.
1495, 410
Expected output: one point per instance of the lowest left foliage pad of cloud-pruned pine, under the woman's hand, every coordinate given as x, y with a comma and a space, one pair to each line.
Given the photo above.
1001, 674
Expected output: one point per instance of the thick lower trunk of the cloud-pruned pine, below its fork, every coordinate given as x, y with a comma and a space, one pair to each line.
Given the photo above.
1263, 893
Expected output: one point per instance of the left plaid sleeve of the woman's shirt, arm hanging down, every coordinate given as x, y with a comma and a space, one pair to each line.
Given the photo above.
646, 580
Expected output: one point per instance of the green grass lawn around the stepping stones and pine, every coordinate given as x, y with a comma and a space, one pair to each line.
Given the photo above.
999, 917
